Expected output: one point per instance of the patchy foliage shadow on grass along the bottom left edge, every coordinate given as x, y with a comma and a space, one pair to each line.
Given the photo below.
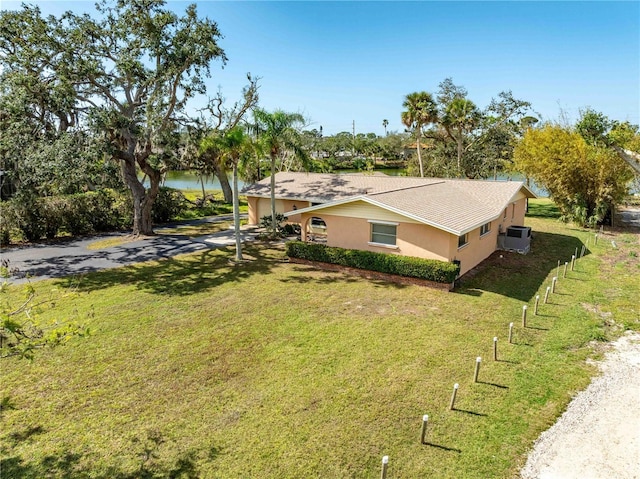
68, 464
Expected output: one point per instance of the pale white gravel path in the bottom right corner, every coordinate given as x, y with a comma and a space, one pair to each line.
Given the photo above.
598, 436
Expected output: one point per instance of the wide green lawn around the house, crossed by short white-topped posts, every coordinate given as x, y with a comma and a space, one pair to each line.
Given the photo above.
200, 368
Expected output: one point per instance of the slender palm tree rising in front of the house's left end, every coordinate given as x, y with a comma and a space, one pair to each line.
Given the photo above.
279, 133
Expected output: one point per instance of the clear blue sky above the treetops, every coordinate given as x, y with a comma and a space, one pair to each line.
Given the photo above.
338, 62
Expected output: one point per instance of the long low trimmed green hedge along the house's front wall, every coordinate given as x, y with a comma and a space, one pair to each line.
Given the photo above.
429, 269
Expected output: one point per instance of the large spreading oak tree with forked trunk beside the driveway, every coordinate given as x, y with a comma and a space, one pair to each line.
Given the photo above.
126, 77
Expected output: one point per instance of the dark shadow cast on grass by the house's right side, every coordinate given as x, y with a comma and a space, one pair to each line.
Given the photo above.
519, 276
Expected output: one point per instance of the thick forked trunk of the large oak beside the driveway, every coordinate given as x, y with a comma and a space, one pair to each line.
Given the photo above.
142, 199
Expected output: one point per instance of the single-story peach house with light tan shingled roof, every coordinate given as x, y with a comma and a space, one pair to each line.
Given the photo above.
446, 219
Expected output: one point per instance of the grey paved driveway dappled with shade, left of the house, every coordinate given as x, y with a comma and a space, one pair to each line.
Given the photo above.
66, 258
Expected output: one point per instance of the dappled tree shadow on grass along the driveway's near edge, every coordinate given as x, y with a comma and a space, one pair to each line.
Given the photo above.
187, 274
